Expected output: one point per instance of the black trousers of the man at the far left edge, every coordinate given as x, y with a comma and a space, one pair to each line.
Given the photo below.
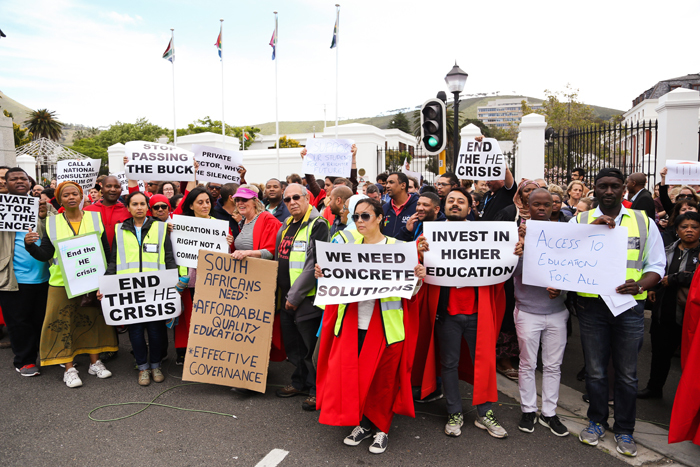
24, 312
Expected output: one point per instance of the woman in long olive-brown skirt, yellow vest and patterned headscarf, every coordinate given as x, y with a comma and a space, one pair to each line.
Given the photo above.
70, 328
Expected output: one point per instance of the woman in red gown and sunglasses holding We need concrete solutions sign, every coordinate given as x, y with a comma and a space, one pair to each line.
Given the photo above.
366, 352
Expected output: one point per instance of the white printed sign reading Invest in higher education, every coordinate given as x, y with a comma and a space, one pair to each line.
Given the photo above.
470, 254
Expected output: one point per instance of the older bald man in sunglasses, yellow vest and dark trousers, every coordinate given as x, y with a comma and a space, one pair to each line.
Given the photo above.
296, 289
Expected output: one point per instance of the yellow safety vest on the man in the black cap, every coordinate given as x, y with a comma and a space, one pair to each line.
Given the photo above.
636, 240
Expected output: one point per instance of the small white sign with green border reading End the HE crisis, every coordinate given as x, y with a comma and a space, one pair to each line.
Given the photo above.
82, 262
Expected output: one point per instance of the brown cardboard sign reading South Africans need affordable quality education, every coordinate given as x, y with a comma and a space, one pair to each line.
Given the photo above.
231, 325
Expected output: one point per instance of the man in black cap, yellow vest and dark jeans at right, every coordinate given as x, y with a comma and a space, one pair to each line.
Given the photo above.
604, 335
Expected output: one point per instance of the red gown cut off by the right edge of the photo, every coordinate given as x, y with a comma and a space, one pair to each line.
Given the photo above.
685, 418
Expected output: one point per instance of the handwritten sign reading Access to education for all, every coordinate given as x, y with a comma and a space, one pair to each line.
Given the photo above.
575, 257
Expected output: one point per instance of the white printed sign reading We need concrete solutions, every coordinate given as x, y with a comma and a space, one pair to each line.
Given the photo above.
353, 273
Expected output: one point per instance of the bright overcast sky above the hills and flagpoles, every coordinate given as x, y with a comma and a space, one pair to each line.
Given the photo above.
98, 62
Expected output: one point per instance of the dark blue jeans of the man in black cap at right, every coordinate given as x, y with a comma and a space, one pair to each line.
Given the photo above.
603, 335
